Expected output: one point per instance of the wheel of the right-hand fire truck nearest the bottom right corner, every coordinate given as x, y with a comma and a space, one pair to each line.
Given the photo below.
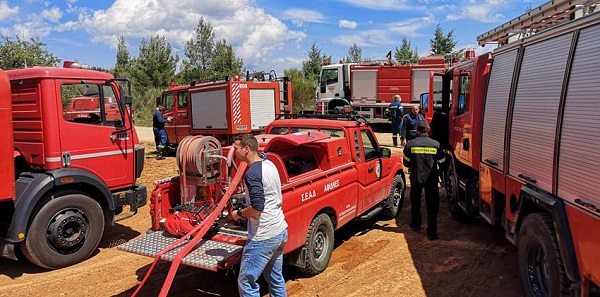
540, 263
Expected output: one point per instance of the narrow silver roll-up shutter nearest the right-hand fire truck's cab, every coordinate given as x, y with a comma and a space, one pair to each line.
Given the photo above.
496, 104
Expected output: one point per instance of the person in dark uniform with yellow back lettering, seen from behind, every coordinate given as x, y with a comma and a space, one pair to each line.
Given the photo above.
421, 156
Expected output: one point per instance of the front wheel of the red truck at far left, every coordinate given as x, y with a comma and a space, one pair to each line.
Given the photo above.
65, 231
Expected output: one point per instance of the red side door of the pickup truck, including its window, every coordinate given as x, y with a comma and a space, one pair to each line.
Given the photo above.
369, 170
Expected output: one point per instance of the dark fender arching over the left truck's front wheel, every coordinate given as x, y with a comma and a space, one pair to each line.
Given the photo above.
32, 187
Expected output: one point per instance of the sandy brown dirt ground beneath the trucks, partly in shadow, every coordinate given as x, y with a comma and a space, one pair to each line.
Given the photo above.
373, 258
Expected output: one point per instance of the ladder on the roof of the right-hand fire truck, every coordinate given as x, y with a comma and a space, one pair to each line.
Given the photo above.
535, 20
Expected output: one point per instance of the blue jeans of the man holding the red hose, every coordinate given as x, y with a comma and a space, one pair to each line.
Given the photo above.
264, 257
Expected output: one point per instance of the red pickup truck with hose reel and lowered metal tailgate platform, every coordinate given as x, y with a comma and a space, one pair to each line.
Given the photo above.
332, 172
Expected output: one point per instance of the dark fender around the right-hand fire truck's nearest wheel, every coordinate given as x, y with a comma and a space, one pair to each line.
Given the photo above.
532, 199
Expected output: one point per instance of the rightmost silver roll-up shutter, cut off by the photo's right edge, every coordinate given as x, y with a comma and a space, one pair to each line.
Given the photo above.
579, 157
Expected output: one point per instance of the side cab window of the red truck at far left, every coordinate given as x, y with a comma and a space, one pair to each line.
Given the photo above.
92, 104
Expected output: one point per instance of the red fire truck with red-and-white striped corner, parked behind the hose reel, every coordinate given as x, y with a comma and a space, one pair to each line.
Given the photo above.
225, 108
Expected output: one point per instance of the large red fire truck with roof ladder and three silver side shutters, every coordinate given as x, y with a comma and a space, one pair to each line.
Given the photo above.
521, 128
